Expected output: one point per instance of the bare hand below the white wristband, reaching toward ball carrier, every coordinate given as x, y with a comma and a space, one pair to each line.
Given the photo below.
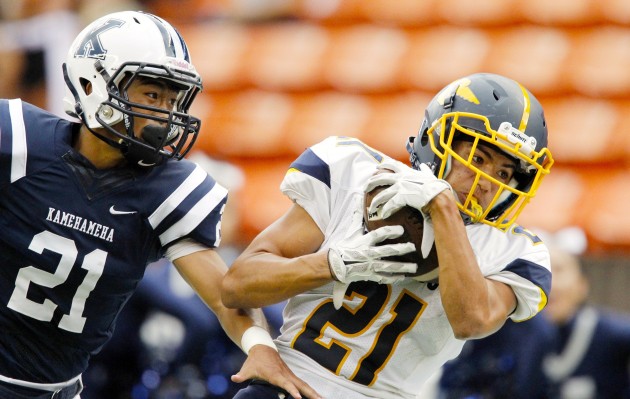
264, 363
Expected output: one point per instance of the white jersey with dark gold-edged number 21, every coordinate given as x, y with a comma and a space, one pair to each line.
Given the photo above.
386, 340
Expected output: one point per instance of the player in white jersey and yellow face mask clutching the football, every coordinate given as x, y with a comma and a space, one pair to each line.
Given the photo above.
354, 325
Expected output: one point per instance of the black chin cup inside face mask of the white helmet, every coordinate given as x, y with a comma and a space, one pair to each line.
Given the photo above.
137, 154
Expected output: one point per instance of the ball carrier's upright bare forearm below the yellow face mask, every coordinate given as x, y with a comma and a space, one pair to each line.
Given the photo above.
463, 288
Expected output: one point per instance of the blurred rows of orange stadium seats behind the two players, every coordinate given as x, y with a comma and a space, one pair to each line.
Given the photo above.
280, 75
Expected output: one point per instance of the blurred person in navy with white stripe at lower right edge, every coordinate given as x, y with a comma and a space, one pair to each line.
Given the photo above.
591, 353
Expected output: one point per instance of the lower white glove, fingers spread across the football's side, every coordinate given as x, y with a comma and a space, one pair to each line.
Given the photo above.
359, 258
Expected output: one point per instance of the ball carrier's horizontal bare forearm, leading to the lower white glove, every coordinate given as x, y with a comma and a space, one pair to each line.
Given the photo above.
261, 279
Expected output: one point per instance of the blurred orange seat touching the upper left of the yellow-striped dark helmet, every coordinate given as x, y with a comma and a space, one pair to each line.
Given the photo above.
439, 55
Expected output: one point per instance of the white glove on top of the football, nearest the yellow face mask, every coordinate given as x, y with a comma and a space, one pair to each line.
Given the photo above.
408, 187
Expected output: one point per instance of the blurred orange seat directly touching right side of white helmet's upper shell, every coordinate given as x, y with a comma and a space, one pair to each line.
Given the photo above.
218, 51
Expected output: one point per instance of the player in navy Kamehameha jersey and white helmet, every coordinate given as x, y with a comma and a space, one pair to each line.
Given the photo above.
84, 207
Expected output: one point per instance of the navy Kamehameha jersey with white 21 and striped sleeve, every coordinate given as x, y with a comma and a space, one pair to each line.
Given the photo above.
75, 240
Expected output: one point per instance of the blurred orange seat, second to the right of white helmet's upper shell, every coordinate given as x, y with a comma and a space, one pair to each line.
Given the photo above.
287, 56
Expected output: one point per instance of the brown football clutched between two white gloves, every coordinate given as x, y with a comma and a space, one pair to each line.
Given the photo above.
412, 221
